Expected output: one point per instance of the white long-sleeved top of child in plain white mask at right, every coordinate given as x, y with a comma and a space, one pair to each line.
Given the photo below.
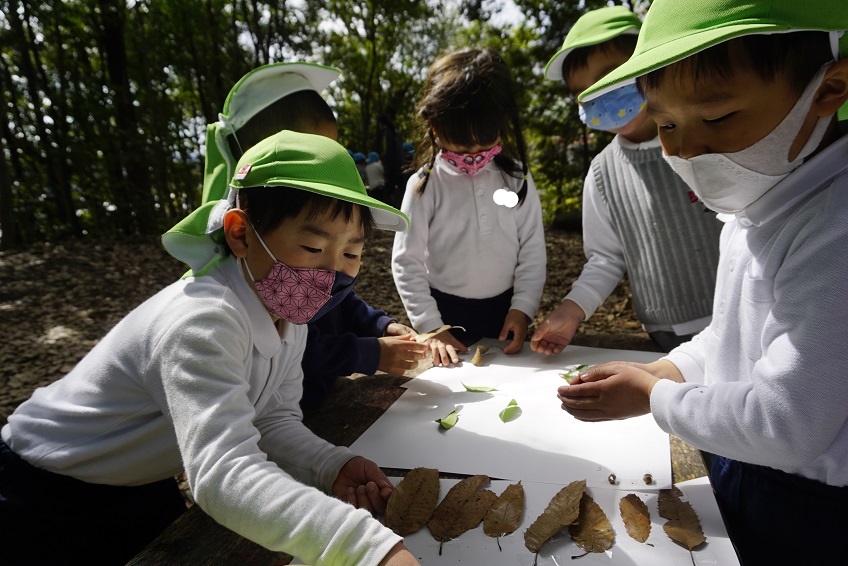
766, 380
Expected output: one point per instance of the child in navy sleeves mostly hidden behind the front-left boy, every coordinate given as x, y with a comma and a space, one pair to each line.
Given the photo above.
354, 337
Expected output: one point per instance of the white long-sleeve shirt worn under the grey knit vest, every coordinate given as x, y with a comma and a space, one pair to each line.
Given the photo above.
606, 260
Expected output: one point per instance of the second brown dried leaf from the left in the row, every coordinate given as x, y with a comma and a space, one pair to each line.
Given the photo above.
462, 508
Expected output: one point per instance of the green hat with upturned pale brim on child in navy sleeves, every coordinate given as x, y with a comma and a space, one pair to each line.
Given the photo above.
254, 92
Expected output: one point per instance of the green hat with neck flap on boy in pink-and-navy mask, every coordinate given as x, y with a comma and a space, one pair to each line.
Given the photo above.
287, 159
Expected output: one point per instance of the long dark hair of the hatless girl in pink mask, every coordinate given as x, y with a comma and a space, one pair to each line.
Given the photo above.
469, 98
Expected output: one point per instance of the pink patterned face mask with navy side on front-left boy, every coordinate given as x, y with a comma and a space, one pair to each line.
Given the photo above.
300, 294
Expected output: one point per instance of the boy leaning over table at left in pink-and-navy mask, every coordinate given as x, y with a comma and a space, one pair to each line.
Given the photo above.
205, 376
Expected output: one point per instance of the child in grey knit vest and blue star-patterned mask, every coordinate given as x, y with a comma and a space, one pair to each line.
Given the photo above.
637, 216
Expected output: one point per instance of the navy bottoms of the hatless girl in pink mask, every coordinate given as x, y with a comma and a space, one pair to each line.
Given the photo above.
481, 318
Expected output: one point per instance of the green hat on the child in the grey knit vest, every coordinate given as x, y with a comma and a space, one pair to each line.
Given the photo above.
592, 28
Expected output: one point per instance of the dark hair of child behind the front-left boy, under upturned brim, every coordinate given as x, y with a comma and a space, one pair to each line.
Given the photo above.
302, 111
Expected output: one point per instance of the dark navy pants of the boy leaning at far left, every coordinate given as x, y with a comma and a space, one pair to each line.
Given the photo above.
47, 518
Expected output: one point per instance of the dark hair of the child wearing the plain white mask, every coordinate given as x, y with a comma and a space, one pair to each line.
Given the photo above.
795, 55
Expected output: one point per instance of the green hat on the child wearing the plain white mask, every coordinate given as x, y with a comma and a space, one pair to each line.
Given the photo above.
676, 29
